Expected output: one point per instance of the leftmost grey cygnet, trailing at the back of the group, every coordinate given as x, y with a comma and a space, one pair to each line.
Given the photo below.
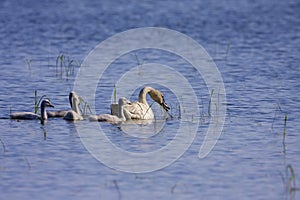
30, 115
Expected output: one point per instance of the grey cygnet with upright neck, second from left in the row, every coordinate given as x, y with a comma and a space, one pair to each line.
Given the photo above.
75, 113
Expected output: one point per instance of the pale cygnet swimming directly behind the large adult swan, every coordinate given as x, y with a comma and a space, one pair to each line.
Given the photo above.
113, 118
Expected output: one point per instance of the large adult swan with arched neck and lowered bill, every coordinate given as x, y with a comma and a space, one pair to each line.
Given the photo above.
141, 109
